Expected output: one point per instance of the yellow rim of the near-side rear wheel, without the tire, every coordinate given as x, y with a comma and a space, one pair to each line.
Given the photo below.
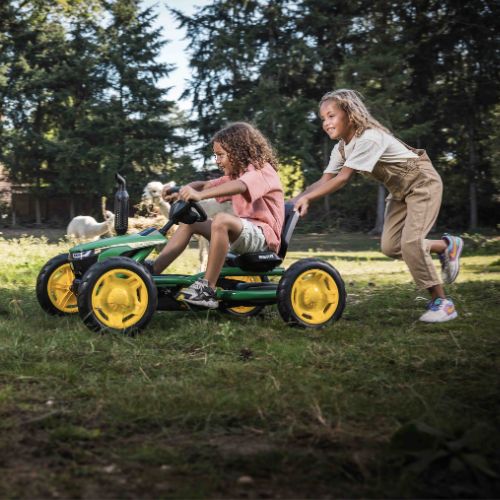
315, 297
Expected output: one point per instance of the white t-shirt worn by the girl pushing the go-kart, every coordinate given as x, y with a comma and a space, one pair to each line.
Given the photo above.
364, 152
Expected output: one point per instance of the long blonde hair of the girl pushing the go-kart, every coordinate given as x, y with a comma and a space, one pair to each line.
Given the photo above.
351, 101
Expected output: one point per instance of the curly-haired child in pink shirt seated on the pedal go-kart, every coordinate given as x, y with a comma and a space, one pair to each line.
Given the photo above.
252, 183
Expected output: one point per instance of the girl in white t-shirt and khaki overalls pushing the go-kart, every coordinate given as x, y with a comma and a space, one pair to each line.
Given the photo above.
415, 193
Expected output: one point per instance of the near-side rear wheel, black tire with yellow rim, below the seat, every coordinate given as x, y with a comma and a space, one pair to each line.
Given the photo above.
311, 294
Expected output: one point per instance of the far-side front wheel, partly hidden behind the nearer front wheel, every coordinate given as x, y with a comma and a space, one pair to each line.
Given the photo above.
53, 287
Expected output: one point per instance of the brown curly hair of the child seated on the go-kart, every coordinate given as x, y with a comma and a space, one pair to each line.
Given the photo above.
245, 144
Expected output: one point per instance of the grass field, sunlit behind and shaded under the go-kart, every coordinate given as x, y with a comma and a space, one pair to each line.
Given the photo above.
205, 406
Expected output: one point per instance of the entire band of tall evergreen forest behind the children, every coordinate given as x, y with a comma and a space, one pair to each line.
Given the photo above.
80, 96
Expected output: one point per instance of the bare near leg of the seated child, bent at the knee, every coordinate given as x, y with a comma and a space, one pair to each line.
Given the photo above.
225, 229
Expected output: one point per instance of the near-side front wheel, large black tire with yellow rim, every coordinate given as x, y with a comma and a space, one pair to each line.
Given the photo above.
117, 295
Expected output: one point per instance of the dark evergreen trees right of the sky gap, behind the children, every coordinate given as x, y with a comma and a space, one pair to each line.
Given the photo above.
428, 70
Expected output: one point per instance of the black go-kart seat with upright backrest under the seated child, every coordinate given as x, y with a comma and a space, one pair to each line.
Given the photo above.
265, 261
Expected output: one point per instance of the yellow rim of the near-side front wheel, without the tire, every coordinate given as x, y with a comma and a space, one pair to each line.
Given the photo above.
119, 298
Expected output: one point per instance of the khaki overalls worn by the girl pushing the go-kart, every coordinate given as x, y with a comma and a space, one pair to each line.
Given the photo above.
411, 210
